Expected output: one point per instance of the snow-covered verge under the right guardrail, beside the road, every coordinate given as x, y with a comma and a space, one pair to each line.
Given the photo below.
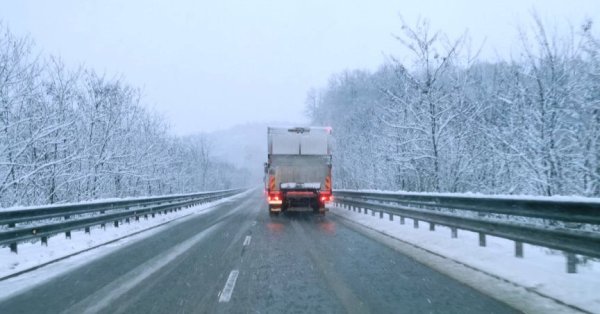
541, 270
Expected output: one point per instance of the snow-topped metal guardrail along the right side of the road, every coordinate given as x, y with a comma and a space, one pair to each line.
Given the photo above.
552, 228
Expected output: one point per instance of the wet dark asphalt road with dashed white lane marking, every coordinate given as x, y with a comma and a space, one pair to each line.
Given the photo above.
292, 263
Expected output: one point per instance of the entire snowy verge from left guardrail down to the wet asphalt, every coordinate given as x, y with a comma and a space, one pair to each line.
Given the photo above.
94, 244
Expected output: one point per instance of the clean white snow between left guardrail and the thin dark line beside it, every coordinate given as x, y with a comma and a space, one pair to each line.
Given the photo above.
33, 254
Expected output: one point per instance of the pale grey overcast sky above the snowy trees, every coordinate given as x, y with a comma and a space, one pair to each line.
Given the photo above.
209, 65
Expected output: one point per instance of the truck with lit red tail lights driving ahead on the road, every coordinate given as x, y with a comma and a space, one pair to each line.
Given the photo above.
298, 169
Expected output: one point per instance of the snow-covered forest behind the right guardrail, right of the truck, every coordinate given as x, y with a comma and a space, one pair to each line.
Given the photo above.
447, 120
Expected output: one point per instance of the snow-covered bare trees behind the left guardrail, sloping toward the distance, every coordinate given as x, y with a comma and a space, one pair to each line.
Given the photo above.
69, 135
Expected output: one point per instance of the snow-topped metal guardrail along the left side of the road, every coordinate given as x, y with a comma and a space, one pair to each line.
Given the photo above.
42, 222
